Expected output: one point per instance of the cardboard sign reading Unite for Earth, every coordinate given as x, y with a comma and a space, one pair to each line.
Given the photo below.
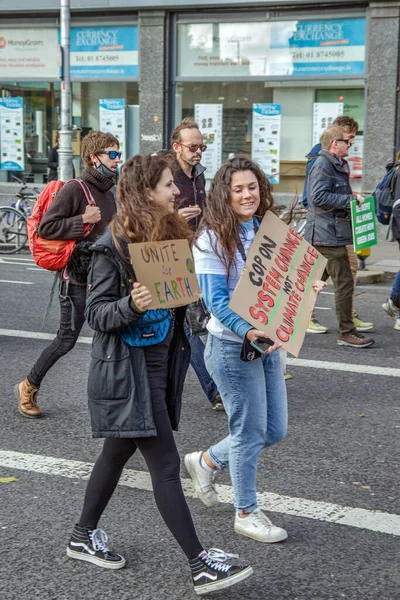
167, 270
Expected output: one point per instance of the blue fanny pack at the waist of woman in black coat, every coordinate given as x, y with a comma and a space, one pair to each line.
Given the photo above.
151, 329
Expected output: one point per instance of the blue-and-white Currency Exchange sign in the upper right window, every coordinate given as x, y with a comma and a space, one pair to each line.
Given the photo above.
335, 47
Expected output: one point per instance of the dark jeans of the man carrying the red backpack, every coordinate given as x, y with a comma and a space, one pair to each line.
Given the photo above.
66, 337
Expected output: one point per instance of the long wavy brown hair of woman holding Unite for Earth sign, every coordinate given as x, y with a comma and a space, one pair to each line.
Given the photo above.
139, 218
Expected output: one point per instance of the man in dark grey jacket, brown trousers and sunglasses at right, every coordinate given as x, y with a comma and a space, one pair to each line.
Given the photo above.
328, 226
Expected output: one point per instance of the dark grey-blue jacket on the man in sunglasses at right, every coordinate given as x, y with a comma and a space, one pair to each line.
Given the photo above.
329, 195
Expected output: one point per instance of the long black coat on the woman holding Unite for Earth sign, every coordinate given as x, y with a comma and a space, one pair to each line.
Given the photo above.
118, 388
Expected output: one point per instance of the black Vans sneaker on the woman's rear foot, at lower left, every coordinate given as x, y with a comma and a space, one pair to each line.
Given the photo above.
91, 545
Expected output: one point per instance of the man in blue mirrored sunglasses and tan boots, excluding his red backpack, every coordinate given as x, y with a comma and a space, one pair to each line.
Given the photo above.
66, 219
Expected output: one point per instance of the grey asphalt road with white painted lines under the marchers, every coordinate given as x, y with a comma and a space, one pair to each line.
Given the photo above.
341, 453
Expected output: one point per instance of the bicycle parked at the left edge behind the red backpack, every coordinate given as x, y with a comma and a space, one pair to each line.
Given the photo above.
13, 219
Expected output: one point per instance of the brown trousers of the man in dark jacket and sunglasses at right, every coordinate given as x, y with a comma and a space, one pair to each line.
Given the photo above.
338, 268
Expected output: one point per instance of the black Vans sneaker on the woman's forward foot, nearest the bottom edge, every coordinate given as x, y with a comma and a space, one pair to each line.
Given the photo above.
211, 573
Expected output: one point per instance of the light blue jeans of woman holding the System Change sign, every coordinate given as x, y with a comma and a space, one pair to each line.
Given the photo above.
254, 397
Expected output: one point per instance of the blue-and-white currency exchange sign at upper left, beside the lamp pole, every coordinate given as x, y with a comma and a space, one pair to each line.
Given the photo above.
104, 52
